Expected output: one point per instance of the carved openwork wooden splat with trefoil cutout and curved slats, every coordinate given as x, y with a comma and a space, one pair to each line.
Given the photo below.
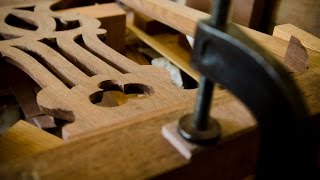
62, 52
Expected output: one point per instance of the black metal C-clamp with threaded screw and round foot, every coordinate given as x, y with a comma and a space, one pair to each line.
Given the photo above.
224, 55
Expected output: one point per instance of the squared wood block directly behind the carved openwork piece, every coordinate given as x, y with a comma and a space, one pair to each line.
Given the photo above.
112, 18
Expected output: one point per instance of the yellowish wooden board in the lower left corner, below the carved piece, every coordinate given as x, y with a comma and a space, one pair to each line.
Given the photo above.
24, 140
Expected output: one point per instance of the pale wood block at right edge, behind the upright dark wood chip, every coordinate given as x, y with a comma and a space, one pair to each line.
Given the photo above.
285, 32
